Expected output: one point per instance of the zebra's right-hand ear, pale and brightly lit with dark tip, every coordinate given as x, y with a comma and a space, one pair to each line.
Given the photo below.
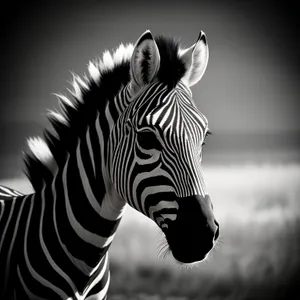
195, 59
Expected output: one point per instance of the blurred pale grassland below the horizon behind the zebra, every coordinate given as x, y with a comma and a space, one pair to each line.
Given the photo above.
258, 256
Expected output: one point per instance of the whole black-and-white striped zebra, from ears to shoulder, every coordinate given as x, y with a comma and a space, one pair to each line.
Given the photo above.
128, 133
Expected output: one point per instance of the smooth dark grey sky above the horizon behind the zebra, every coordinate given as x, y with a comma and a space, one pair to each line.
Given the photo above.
250, 85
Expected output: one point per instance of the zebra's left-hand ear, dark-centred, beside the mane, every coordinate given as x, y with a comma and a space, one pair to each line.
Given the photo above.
145, 60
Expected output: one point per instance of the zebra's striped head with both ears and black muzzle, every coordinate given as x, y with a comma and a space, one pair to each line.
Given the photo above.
156, 145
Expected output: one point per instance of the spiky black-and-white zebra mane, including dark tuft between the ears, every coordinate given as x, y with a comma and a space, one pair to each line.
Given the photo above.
89, 95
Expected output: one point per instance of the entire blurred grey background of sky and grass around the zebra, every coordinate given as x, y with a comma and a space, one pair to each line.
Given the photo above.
251, 163
